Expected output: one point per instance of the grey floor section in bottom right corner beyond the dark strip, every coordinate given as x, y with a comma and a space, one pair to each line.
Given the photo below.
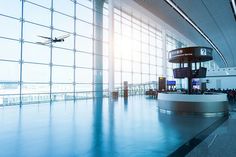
221, 142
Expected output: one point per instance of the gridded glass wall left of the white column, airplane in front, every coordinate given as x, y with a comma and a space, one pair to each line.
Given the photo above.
34, 69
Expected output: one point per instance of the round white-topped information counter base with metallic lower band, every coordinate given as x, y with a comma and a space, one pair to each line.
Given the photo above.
209, 105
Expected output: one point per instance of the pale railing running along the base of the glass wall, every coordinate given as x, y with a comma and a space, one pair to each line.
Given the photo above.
36, 98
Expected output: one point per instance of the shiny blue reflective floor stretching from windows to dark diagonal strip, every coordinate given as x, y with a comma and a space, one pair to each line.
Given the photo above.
99, 128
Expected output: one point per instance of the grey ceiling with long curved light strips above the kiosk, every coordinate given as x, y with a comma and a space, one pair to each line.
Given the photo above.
214, 17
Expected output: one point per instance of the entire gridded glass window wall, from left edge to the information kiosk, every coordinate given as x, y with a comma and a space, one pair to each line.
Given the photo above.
34, 69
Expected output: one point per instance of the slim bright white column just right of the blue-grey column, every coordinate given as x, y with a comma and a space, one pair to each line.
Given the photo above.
111, 46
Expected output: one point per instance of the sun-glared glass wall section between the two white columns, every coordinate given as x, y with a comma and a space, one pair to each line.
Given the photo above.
138, 53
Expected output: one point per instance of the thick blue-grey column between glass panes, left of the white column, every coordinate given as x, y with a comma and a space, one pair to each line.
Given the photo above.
98, 47
